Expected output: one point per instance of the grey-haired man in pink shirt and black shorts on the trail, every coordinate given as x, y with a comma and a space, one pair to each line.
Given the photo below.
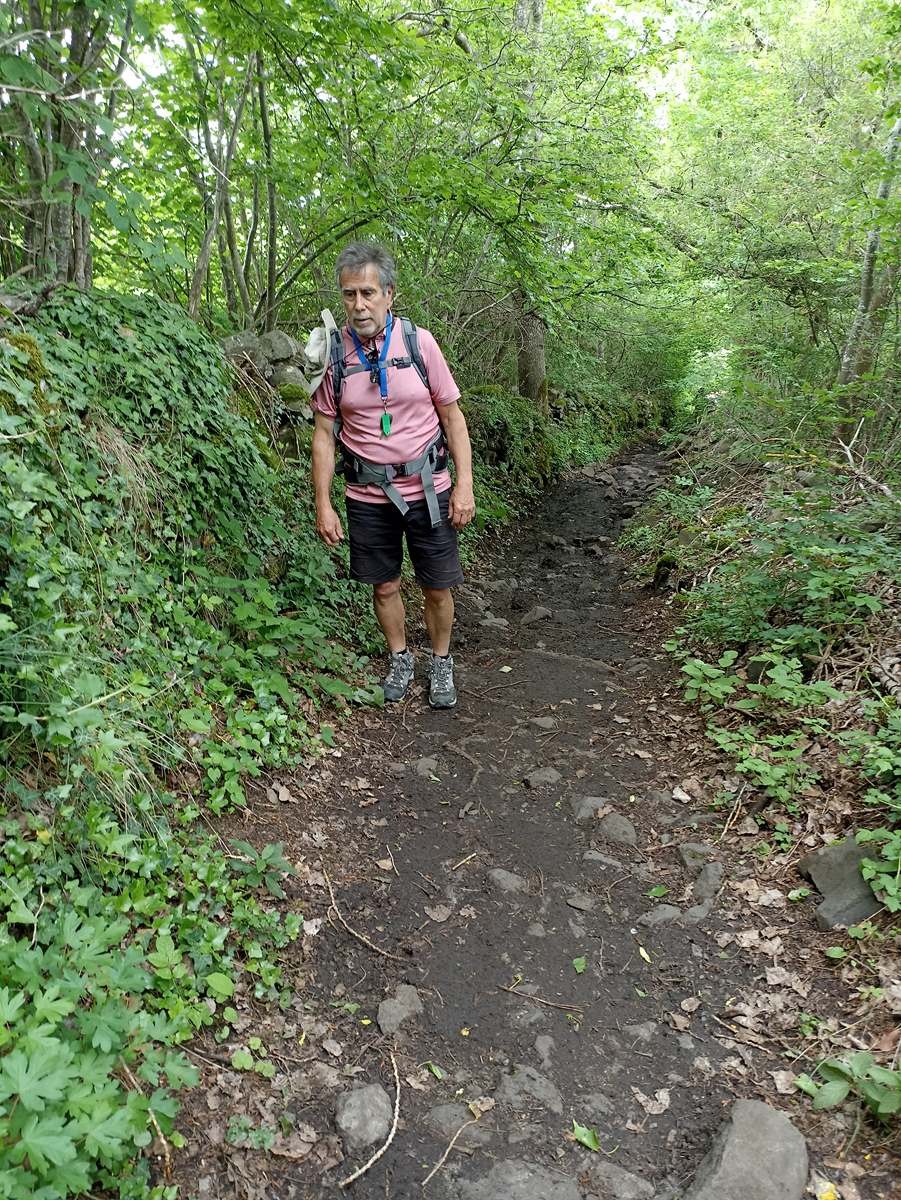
389, 424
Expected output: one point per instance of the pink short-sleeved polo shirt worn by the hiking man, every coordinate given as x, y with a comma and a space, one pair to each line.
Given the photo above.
415, 421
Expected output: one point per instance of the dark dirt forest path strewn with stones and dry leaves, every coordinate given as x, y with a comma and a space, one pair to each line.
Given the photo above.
579, 933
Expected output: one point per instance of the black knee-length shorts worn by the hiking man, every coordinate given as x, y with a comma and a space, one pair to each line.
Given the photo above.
377, 532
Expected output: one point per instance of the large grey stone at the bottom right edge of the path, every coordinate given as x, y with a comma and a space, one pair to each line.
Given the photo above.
758, 1155
